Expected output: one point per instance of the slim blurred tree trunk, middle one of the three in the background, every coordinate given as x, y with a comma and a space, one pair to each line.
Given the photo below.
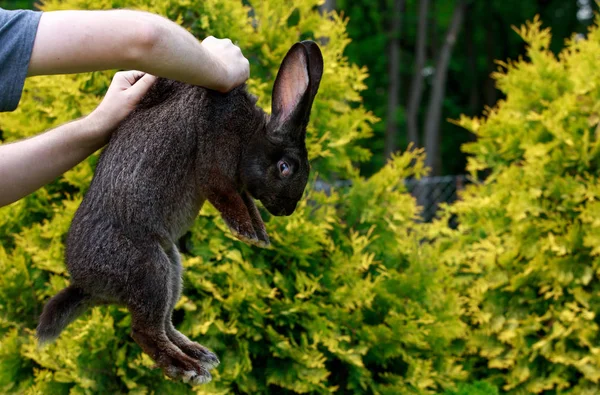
416, 87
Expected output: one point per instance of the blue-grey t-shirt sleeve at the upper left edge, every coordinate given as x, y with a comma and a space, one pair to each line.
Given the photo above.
17, 33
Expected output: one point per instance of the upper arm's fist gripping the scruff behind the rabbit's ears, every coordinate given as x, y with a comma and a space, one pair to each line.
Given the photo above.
229, 58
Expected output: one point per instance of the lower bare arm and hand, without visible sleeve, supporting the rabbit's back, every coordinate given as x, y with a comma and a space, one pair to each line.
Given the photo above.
28, 164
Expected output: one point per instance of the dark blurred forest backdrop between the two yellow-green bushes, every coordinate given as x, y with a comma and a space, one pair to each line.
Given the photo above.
384, 29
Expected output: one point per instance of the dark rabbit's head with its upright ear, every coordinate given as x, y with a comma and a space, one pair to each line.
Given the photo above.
274, 167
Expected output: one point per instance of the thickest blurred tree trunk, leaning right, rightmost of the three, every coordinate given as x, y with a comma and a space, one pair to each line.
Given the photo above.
434, 109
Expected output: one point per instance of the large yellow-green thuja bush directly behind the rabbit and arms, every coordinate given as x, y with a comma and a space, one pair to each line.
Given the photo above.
346, 300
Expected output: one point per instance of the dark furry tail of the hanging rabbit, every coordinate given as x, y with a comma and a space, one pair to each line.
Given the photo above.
60, 311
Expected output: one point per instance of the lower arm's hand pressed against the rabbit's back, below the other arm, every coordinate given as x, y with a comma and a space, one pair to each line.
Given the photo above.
124, 93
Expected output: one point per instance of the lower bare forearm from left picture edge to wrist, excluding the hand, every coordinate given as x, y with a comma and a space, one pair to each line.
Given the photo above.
29, 164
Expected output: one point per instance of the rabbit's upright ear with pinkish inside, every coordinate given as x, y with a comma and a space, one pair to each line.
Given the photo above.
294, 90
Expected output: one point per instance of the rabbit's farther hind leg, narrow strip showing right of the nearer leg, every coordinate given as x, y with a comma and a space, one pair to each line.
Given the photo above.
197, 351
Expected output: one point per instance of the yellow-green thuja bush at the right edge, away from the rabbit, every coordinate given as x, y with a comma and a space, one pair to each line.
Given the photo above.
526, 252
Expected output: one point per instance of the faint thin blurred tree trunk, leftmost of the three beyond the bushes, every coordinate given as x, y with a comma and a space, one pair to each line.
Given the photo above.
391, 130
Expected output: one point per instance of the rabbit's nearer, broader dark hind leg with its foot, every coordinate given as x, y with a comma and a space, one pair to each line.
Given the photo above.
149, 301
